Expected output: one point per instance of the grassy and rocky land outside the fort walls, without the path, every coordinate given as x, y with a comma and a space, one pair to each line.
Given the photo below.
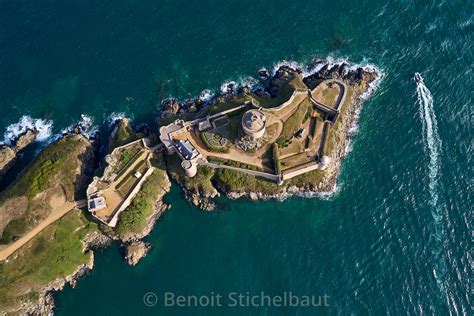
63, 170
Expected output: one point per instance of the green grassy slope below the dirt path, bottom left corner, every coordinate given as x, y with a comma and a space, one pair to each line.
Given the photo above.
54, 253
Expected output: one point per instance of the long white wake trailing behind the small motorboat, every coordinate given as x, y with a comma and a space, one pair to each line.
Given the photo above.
432, 146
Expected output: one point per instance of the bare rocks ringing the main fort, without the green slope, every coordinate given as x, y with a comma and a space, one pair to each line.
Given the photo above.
363, 79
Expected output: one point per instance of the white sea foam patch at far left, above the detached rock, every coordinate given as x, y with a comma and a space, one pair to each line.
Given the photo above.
42, 126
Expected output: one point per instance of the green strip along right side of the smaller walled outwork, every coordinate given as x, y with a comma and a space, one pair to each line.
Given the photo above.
134, 218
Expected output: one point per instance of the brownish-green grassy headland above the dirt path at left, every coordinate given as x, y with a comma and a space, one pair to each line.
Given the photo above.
53, 172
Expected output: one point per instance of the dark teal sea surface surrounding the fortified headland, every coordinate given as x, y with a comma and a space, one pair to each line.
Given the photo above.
397, 236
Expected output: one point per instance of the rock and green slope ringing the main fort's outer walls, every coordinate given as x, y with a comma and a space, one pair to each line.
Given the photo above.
210, 183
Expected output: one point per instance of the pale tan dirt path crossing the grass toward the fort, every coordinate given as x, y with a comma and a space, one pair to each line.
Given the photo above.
54, 216
